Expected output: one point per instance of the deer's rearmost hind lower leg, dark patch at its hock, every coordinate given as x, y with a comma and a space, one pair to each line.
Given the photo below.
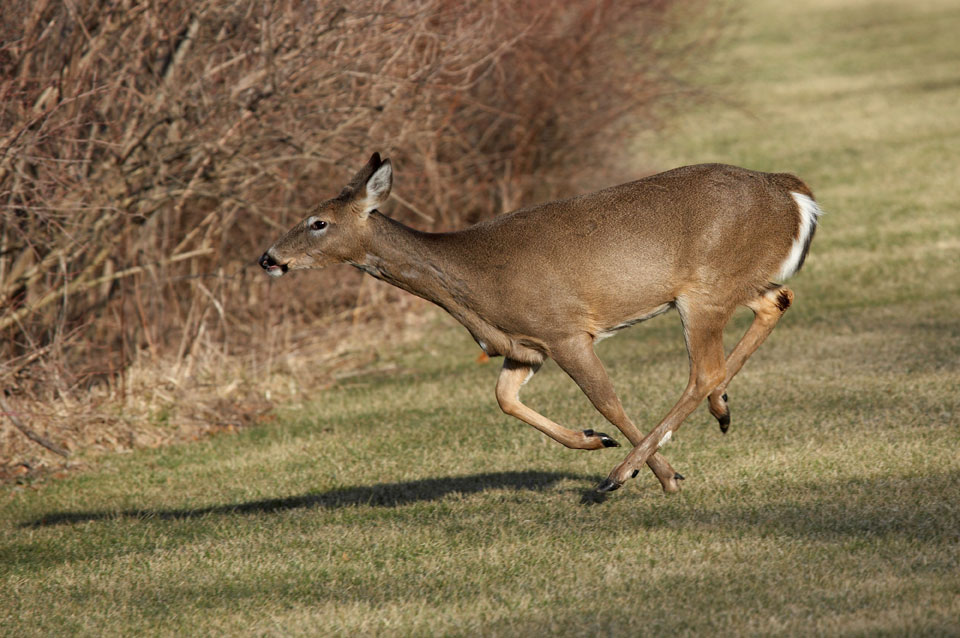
767, 308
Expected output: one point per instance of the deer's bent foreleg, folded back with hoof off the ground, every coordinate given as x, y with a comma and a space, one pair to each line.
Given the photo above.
512, 376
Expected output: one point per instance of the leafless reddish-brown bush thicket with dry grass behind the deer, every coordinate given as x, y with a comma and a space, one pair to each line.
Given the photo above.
149, 152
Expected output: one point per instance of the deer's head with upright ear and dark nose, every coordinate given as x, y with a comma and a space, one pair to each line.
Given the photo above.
336, 229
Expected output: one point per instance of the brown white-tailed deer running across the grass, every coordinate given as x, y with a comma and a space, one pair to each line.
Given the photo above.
551, 280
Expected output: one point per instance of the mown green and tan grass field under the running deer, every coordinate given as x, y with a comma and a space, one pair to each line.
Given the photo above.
407, 504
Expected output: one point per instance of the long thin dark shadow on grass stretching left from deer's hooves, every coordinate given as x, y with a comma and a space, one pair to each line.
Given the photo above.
382, 495
